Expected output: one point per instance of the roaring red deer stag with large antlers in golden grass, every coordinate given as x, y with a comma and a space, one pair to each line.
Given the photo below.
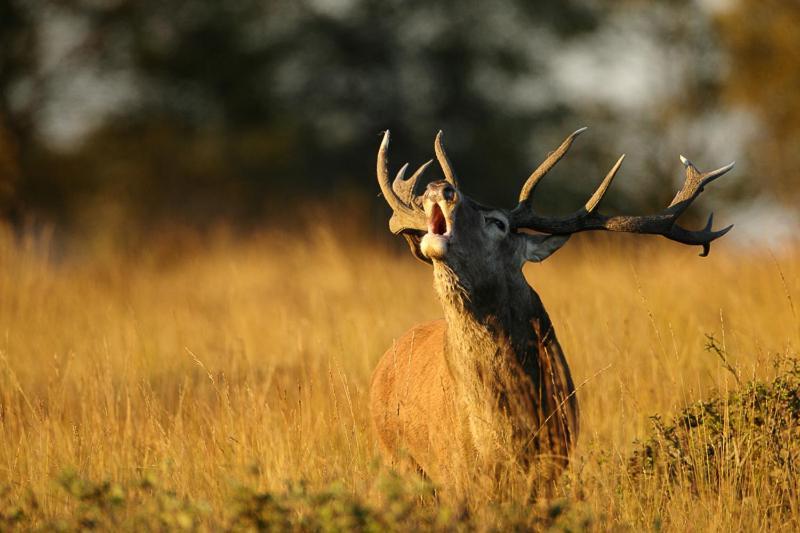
488, 386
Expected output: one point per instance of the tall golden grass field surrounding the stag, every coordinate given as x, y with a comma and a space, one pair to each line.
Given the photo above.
225, 361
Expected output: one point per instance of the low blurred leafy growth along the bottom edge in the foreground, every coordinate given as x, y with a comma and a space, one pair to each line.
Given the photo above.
402, 505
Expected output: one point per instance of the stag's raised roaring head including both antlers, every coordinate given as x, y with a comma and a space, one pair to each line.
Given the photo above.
444, 226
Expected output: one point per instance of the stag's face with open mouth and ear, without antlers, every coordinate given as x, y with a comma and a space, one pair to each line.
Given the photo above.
469, 237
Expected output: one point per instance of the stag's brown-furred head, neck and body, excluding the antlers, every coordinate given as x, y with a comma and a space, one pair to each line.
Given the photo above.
485, 393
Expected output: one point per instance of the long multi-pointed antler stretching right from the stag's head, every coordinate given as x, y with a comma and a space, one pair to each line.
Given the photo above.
587, 218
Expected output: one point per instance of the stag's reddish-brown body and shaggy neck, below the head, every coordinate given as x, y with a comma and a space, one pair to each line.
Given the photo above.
477, 390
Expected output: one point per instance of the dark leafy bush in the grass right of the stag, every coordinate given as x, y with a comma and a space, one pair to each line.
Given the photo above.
745, 440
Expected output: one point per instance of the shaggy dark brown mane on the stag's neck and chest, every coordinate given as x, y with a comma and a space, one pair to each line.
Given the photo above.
514, 385
